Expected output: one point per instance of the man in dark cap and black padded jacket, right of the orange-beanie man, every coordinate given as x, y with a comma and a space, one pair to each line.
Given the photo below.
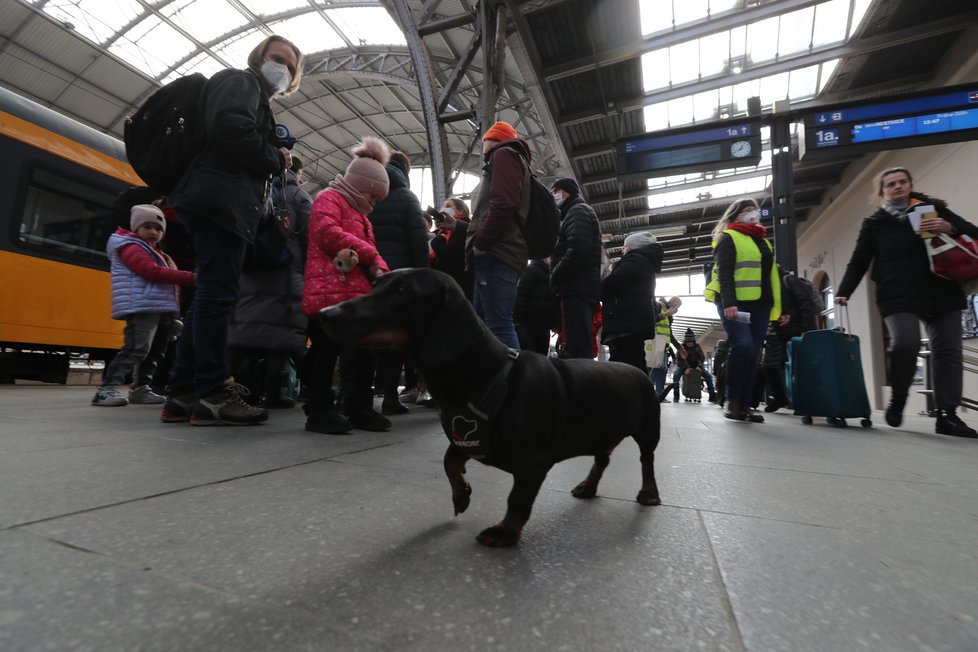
575, 267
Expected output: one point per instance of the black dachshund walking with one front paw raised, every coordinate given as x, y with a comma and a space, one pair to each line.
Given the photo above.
519, 413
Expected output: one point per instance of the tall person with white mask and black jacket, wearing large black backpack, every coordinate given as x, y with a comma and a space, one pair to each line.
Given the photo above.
220, 200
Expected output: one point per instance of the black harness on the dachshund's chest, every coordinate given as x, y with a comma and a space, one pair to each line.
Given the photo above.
470, 429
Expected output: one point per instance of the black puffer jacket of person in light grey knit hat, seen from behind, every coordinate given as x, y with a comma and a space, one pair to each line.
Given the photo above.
627, 294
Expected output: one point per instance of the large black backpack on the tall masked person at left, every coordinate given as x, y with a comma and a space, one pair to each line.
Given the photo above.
165, 135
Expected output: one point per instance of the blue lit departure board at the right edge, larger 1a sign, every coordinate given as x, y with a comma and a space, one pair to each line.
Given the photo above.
940, 116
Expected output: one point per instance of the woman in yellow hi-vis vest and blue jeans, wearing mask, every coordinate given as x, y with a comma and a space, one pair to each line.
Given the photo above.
746, 288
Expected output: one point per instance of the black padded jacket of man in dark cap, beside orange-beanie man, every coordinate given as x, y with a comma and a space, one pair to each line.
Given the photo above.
575, 266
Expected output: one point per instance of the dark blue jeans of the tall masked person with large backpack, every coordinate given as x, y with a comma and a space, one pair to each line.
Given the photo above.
201, 363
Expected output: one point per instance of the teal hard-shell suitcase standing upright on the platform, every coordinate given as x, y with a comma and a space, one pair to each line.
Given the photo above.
824, 377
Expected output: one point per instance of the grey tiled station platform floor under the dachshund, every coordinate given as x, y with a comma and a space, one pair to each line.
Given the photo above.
118, 532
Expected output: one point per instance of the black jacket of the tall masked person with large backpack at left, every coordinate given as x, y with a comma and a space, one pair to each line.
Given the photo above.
228, 184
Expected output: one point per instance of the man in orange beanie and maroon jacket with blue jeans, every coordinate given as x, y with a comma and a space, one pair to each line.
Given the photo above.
494, 245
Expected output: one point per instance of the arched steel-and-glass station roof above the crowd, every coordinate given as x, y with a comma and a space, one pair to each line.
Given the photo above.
572, 76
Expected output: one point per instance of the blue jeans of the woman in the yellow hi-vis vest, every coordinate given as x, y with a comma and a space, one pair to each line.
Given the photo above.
746, 343
